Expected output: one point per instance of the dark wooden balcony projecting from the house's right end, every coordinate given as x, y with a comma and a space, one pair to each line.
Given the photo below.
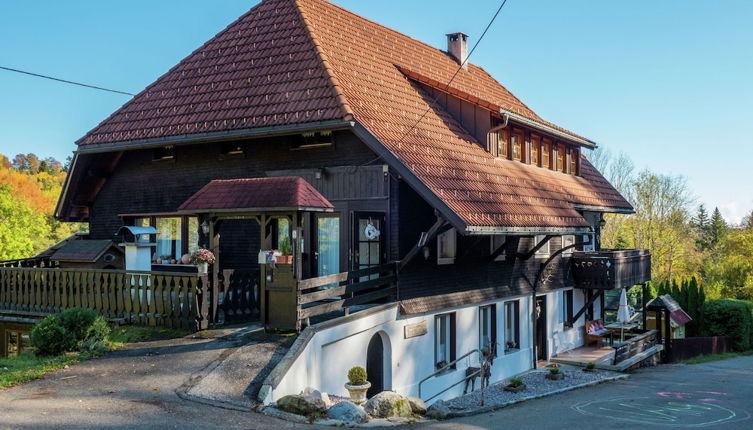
608, 269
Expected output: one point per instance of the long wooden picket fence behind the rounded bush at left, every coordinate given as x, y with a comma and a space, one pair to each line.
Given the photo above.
151, 298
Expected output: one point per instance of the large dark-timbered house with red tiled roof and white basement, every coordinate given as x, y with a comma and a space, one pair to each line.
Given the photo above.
347, 166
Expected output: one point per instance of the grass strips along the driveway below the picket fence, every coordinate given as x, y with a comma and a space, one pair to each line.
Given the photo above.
27, 366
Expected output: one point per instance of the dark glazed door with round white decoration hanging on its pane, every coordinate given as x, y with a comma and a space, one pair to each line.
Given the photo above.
368, 246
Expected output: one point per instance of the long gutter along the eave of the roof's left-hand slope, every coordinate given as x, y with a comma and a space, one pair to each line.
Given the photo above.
187, 139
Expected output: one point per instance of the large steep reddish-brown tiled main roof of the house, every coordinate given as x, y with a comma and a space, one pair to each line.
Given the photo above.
297, 61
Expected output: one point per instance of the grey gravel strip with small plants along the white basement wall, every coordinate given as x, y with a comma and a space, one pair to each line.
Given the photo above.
536, 384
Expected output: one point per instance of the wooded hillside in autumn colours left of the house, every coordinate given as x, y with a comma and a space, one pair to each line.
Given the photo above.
29, 188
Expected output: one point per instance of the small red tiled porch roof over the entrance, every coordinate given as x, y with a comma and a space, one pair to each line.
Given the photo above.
252, 194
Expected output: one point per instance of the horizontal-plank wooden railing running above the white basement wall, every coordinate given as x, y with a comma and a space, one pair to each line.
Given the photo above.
331, 293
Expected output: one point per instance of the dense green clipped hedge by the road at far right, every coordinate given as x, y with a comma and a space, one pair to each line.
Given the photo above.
729, 317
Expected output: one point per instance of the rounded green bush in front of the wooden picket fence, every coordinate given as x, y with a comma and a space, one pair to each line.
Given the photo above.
74, 329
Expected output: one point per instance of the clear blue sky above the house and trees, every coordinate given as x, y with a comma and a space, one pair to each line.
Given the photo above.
668, 82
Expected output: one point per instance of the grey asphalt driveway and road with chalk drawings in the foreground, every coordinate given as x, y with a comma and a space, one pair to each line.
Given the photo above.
137, 388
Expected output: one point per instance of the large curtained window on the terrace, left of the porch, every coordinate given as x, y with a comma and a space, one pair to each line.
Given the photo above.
176, 236
